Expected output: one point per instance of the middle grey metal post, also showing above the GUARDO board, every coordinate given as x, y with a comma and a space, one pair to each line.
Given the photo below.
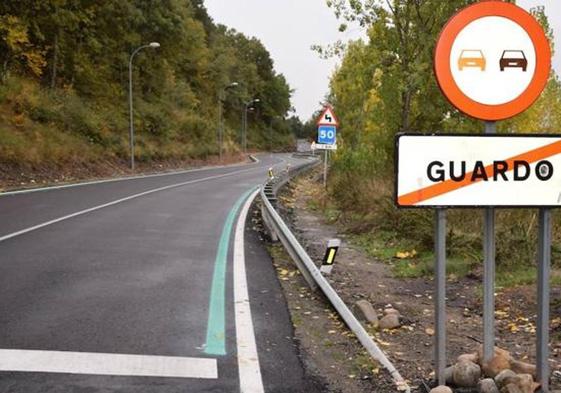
489, 274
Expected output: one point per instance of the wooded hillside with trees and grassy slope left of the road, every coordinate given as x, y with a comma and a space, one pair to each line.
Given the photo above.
64, 84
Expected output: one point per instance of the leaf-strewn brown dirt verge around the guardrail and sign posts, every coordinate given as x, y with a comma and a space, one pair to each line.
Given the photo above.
331, 351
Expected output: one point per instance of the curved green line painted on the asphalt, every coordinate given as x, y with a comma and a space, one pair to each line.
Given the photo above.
216, 328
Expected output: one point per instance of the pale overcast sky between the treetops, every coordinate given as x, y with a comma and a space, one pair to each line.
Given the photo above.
288, 29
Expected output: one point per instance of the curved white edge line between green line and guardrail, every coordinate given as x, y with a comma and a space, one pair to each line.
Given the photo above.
248, 359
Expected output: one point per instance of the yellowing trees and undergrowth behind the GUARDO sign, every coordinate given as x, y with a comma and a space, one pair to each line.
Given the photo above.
385, 86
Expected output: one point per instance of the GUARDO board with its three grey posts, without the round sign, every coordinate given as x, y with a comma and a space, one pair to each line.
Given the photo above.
493, 170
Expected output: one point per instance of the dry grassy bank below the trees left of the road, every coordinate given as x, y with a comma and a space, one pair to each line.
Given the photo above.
43, 128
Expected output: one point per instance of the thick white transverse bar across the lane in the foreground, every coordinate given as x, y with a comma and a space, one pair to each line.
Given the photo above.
107, 364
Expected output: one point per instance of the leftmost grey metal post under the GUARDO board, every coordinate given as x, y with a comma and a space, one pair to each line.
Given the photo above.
440, 298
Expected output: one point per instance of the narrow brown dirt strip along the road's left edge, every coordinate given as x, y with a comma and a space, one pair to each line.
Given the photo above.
18, 177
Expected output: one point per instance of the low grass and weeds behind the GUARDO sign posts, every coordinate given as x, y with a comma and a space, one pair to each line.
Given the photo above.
383, 232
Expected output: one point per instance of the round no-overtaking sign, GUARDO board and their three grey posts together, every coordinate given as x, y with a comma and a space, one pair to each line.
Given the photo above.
487, 79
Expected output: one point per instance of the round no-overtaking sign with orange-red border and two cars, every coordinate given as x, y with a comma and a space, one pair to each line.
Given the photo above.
492, 60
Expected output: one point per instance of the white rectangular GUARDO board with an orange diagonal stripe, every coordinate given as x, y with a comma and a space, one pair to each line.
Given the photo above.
478, 170
